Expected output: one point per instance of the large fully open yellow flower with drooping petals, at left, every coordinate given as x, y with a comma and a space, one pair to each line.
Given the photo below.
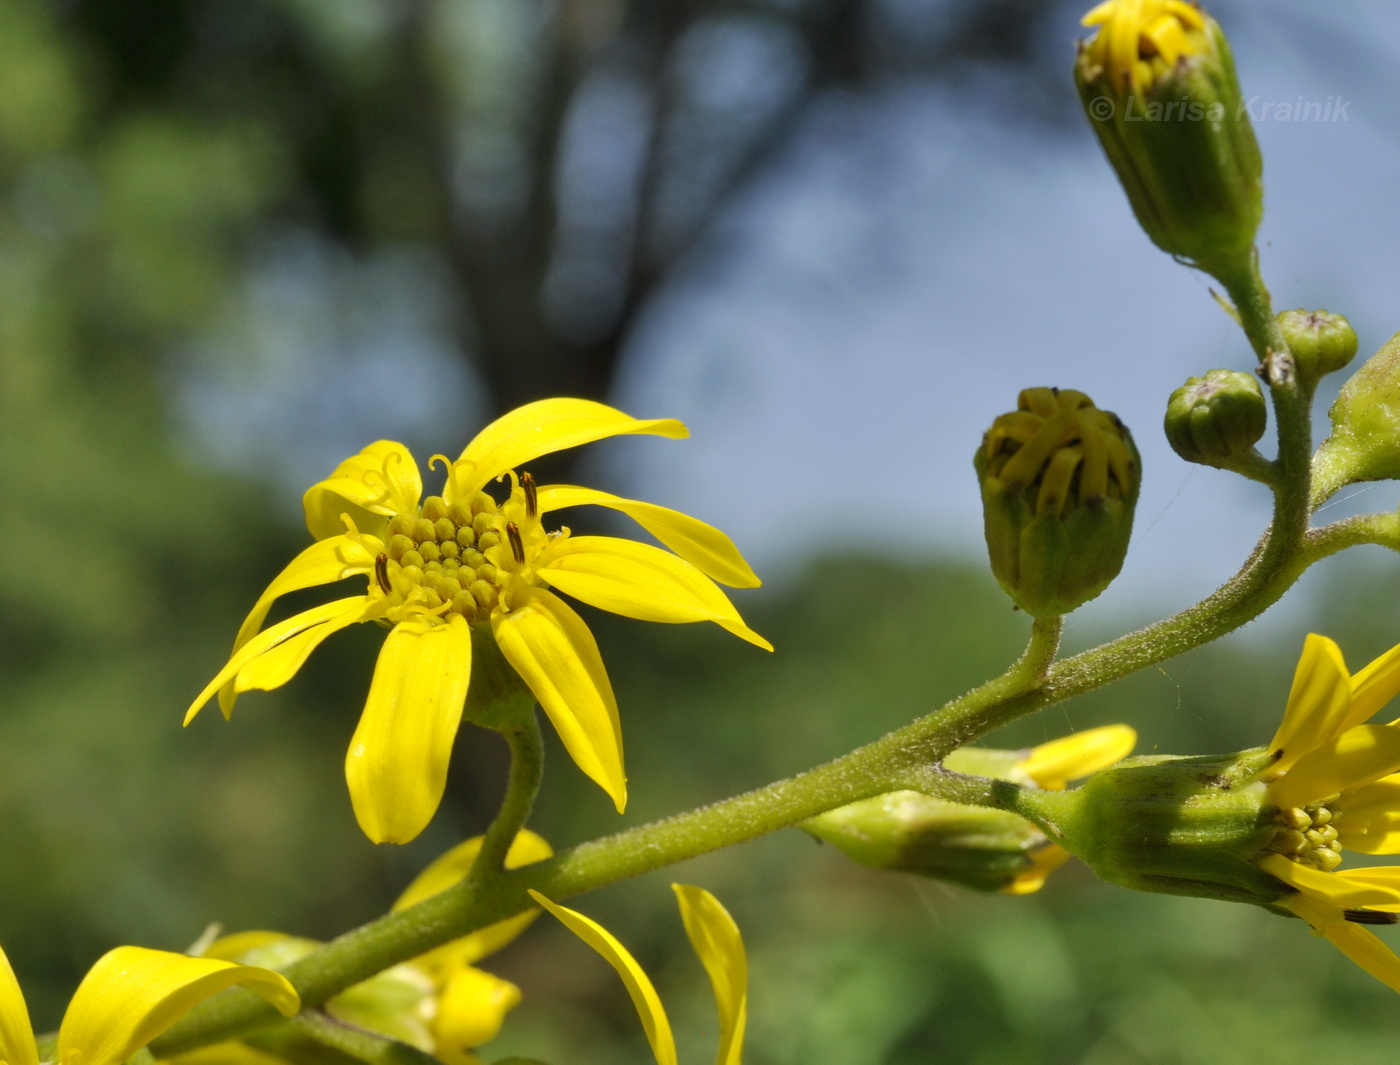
442, 566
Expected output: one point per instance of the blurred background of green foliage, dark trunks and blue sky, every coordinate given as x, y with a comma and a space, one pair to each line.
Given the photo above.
241, 239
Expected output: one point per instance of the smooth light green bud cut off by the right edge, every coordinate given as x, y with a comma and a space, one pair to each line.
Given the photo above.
1366, 425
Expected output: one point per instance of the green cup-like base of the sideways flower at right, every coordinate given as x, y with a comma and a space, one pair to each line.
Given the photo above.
1174, 825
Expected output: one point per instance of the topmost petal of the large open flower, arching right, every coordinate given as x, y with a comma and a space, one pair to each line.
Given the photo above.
548, 426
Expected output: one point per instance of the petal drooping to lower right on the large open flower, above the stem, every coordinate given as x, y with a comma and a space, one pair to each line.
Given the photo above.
556, 656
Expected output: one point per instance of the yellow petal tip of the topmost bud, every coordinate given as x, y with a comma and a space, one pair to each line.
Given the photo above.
1140, 41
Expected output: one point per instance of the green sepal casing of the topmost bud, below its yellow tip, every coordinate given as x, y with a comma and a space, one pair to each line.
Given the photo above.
1185, 153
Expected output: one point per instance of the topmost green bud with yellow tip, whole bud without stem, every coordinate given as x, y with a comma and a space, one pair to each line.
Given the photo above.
1158, 85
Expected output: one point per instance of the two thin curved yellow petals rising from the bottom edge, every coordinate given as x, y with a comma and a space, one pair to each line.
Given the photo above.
716, 941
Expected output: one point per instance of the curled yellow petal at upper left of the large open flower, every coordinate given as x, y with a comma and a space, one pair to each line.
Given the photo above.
380, 481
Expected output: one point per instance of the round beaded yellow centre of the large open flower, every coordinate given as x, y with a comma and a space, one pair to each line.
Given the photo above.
463, 558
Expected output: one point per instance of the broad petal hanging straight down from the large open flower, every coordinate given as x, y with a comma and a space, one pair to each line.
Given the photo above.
397, 765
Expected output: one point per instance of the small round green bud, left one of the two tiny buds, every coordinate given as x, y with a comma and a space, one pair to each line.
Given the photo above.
1216, 419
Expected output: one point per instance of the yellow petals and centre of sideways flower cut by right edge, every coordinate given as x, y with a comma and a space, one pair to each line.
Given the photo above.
1333, 786
